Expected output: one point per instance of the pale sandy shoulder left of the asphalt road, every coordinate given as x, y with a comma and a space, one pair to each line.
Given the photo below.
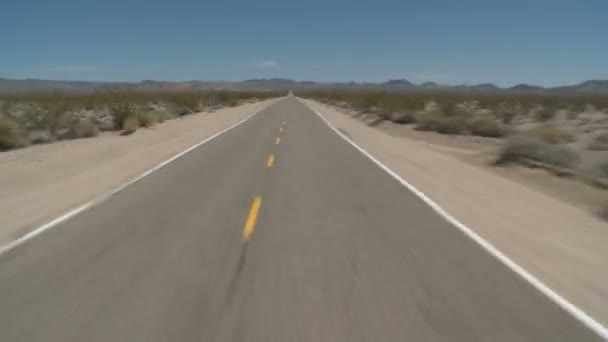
40, 182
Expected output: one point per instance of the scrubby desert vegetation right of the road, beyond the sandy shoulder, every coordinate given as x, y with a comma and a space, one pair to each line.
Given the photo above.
566, 133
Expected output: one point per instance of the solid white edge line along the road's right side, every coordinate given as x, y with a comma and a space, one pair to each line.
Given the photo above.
572, 309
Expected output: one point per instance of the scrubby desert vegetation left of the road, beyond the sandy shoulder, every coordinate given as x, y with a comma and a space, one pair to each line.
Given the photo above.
45, 117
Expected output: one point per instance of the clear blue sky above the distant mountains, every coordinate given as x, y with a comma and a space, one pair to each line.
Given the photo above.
546, 42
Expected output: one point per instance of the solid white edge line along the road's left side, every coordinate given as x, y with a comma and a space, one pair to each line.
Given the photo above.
104, 196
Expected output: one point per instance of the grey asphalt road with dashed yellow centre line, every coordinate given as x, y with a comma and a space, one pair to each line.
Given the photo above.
318, 244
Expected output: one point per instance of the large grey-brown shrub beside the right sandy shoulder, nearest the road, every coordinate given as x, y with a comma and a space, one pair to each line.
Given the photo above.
521, 147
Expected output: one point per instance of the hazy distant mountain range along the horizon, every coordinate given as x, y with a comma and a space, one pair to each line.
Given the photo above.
11, 86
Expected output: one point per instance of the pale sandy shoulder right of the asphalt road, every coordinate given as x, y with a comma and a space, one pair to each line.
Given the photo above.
563, 245
